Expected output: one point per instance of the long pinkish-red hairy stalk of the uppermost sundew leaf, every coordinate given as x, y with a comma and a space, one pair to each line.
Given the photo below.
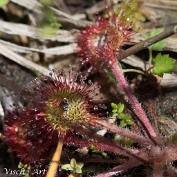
134, 102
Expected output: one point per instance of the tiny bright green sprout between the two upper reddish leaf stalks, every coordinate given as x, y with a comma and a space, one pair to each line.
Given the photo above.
117, 112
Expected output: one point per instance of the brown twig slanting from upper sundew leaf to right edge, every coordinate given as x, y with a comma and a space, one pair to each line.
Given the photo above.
144, 44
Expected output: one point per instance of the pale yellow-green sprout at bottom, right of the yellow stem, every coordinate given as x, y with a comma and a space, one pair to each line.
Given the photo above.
74, 167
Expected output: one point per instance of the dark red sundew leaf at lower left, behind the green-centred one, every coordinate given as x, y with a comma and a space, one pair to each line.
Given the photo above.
31, 137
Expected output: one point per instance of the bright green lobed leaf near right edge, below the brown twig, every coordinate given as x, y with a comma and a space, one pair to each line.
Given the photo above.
163, 64
